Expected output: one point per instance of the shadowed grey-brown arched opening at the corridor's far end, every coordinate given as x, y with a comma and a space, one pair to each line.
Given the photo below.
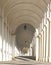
24, 37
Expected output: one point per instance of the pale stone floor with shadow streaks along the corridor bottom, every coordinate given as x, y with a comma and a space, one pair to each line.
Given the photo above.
23, 61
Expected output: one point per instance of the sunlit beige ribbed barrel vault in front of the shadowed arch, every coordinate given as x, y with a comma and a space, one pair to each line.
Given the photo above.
24, 11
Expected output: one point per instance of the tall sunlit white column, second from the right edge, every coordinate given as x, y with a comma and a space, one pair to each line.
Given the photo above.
48, 42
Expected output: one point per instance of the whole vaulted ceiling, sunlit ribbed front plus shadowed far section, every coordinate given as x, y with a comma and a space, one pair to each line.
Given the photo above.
19, 12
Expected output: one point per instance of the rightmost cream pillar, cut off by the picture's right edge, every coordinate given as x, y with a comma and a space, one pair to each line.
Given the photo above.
49, 40
